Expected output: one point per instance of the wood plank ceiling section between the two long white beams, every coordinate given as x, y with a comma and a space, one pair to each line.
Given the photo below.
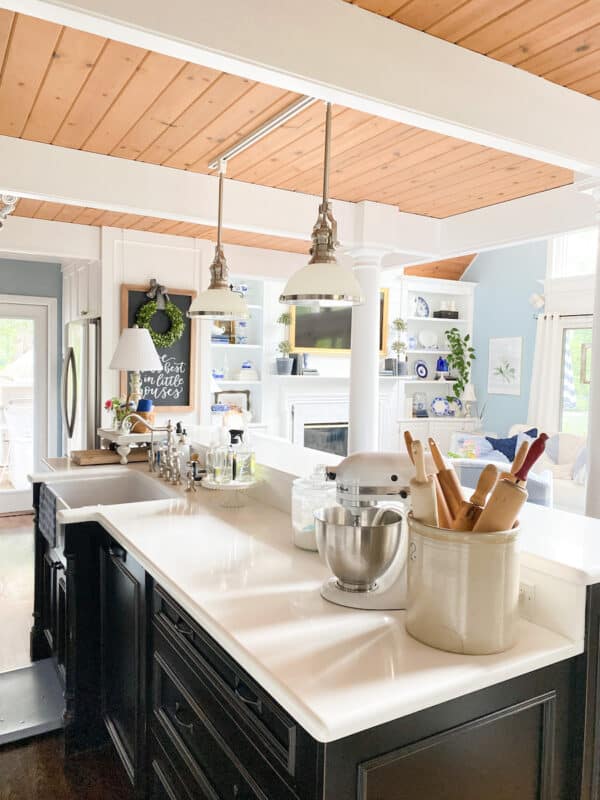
77, 90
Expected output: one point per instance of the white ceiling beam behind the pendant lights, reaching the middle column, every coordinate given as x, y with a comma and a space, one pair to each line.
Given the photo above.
74, 177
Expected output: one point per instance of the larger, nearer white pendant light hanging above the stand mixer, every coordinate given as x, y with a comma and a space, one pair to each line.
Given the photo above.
323, 282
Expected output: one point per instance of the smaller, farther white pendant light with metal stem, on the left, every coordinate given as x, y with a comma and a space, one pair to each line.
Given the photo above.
219, 301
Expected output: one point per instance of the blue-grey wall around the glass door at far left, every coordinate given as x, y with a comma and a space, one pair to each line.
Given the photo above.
36, 279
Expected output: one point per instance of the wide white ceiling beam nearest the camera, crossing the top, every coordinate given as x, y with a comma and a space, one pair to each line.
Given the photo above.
338, 52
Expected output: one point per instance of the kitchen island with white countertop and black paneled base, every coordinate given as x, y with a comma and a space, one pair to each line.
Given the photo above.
207, 626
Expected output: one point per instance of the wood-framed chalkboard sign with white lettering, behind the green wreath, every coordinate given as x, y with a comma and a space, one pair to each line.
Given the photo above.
173, 388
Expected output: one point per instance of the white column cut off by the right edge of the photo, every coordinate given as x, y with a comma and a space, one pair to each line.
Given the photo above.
592, 495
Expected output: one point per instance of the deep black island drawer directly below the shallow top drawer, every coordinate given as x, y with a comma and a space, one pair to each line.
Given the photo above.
180, 721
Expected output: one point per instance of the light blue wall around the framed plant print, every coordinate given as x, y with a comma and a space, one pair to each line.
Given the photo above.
506, 279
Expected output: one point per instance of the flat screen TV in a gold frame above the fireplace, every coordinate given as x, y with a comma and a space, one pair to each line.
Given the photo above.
327, 330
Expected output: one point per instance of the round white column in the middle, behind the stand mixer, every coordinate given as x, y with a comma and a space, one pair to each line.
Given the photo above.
364, 358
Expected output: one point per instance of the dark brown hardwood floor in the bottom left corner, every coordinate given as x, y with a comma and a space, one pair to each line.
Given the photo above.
36, 770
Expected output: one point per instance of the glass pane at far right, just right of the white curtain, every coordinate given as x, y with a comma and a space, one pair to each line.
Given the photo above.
577, 355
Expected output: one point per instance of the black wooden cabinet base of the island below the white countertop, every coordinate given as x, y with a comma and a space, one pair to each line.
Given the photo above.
190, 724
